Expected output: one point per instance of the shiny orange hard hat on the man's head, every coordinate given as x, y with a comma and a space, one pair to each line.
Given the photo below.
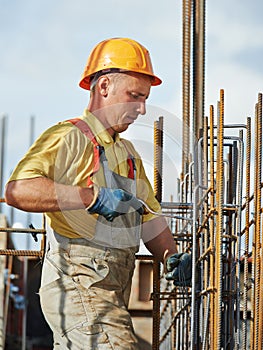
122, 54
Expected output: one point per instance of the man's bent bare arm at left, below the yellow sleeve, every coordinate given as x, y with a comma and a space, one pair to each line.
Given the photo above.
44, 195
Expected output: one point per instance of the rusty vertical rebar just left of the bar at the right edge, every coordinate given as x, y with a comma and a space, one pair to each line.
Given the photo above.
246, 245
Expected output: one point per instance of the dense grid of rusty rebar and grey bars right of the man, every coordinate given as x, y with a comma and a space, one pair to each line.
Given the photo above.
226, 236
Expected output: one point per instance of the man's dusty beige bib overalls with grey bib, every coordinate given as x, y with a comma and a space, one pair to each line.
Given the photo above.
85, 285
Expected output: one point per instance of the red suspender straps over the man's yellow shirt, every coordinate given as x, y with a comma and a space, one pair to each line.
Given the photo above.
85, 129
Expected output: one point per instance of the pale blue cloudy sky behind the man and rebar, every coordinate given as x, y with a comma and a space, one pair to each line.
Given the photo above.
44, 46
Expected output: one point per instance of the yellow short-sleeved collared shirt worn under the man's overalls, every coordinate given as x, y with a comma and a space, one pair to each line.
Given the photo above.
65, 155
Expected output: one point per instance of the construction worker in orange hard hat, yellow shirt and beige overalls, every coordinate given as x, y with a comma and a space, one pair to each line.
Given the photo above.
91, 184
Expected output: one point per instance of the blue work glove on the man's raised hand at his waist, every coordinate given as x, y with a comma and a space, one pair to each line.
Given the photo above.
111, 203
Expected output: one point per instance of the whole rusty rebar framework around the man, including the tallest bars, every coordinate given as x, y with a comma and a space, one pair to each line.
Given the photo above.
217, 219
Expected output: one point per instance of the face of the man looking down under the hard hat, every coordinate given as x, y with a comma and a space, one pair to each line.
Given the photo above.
125, 101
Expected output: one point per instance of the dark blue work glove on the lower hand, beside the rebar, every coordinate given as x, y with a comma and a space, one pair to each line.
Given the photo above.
179, 269
